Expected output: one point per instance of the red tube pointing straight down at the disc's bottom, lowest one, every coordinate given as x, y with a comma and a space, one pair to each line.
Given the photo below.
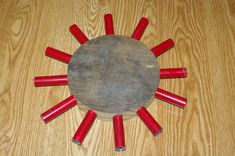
119, 136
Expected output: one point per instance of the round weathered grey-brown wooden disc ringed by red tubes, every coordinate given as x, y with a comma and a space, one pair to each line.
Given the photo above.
113, 74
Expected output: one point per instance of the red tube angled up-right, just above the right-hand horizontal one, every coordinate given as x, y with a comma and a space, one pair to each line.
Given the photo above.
162, 47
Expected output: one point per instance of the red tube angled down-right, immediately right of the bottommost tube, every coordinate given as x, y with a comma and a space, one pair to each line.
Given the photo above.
149, 121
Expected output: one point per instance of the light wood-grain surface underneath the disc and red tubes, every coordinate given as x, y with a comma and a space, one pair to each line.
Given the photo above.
204, 33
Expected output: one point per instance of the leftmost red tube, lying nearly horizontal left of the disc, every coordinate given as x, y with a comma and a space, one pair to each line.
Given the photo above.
40, 81
